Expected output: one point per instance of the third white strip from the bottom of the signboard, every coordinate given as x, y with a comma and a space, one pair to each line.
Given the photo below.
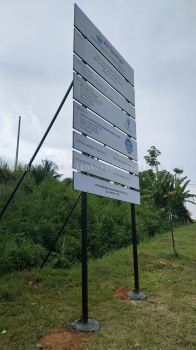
93, 148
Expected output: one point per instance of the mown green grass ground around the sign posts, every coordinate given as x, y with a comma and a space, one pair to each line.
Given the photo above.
31, 303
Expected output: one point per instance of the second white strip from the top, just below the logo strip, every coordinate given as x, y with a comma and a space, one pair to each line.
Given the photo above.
97, 62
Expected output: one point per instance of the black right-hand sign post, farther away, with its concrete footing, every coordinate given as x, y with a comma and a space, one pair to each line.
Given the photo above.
135, 294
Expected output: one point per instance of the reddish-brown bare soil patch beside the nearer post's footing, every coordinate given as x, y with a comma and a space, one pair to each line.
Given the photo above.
64, 339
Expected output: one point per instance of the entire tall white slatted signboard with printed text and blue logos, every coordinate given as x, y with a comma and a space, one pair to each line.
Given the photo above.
105, 162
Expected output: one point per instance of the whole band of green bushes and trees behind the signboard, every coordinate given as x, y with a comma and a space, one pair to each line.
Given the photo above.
28, 229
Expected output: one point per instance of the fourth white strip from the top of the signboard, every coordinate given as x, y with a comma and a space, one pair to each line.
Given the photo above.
98, 103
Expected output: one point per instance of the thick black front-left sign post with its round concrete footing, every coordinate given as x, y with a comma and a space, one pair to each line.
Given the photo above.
85, 324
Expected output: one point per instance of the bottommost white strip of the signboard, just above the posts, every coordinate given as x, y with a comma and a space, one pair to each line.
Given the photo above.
103, 188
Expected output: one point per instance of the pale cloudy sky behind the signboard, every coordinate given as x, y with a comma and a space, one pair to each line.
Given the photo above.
157, 37
